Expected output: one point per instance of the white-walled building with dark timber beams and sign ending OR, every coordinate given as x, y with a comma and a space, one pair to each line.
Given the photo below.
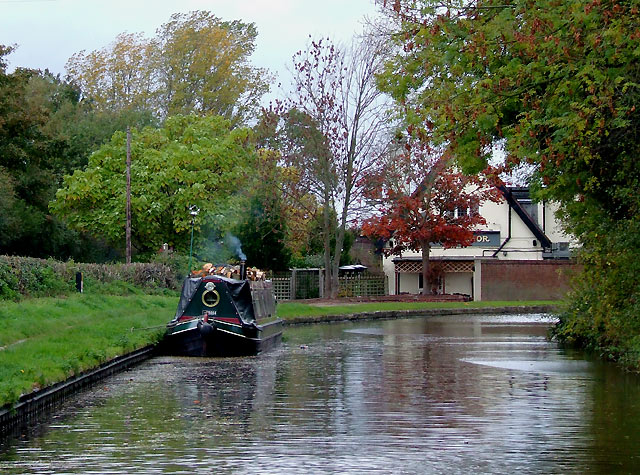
517, 230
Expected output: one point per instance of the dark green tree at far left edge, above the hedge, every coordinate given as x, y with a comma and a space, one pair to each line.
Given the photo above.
30, 164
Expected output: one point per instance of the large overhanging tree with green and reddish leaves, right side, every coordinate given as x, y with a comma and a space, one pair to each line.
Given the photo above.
554, 84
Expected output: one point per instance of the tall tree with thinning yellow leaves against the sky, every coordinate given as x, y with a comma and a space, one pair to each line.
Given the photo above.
196, 63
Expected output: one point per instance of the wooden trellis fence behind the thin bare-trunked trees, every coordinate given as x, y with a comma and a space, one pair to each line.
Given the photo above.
309, 284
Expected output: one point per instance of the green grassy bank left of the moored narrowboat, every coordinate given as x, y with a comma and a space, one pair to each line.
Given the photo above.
46, 340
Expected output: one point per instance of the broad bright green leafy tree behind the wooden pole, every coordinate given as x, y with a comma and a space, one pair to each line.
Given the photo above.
189, 161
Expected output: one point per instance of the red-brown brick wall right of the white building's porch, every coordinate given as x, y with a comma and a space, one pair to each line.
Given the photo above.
526, 280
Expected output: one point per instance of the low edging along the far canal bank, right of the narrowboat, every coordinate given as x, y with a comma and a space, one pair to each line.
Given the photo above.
393, 314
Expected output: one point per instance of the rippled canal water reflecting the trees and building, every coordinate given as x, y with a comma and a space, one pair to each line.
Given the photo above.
455, 394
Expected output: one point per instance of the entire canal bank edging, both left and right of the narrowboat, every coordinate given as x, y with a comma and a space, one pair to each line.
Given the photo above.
30, 406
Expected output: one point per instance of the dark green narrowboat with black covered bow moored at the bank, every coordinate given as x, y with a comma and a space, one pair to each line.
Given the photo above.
221, 316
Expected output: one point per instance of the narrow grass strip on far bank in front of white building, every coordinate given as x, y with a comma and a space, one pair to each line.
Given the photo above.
288, 310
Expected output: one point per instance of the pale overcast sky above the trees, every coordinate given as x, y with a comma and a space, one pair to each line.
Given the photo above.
48, 32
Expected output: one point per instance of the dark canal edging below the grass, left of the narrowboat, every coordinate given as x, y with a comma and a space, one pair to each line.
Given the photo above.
31, 406
